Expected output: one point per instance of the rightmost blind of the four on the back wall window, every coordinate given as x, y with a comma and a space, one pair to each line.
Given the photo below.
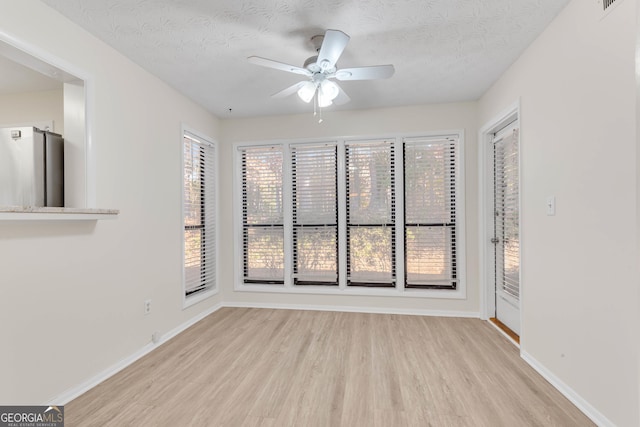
430, 212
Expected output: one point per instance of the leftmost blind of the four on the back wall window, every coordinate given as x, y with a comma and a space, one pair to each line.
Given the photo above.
262, 215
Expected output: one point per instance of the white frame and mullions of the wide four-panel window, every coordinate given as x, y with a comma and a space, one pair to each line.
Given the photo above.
342, 289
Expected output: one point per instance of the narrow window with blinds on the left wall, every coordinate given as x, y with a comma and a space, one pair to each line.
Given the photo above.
199, 215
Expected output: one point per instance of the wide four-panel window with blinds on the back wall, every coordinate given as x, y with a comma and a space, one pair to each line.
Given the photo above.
359, 216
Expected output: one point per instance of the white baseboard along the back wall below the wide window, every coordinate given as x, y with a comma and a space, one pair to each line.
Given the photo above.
353, 309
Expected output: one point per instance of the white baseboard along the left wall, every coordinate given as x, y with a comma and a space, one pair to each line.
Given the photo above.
74, 392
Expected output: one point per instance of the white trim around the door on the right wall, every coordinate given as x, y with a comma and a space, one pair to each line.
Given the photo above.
485, 191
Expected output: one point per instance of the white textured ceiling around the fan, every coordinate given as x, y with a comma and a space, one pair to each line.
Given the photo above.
442, 50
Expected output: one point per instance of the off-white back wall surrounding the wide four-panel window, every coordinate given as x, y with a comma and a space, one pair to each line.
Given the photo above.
393, 121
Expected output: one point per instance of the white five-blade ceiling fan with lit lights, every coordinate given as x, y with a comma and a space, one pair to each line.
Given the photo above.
320, 69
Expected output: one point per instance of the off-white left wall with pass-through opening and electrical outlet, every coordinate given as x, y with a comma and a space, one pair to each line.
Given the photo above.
71, 293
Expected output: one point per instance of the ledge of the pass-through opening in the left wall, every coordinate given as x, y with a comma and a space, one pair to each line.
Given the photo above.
27, 213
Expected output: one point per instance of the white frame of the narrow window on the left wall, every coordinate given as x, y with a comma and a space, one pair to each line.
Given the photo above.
193, 298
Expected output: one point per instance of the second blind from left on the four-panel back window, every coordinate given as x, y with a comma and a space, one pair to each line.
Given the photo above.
315, 214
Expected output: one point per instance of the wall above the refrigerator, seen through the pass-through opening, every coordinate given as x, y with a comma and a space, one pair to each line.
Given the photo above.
25, 107
